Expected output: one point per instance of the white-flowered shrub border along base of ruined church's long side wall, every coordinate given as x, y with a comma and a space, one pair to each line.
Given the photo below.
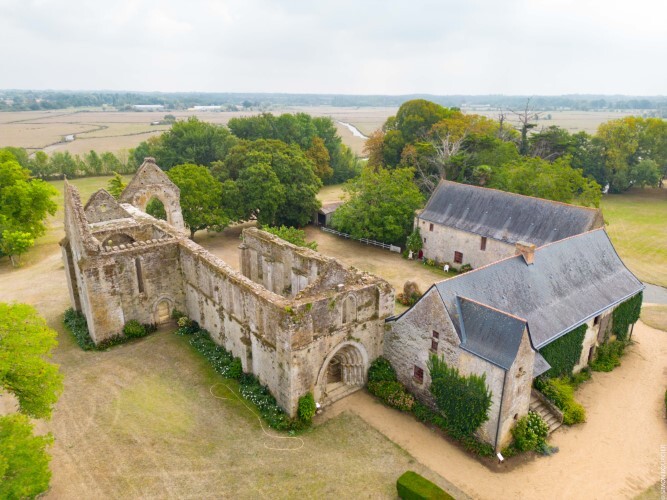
250, 387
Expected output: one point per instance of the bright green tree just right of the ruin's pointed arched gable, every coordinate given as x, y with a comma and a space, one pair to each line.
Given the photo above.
201, 198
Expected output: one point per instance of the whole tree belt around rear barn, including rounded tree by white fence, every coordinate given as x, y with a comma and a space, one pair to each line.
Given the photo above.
435, 142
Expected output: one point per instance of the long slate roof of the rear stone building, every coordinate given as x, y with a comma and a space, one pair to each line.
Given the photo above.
505, 216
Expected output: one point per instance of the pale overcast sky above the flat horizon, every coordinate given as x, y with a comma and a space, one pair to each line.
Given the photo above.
523, 47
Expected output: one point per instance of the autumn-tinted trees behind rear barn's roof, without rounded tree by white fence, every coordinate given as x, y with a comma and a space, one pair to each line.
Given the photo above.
443, 142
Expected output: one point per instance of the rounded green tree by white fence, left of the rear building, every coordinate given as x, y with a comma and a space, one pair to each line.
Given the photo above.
381, 205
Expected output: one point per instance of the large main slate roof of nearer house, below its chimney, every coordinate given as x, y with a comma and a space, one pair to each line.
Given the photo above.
571, 281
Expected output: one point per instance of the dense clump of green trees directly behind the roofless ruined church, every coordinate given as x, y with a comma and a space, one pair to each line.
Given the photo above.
263, 167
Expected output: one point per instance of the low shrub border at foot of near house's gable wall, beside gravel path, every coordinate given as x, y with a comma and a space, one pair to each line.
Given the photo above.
383, 383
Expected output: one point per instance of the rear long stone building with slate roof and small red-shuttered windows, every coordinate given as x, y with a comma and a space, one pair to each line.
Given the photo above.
465, 224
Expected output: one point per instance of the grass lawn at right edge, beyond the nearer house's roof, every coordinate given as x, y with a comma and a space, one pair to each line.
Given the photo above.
637, 225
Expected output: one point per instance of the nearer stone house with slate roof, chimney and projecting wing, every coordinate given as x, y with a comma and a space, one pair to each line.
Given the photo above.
495, 320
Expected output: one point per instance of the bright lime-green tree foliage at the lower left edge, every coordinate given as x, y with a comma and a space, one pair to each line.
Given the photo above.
26, 343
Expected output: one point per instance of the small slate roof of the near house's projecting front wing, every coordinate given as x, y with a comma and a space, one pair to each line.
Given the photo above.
489, 333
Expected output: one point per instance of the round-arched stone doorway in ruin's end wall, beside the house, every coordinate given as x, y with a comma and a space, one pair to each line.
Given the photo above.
343, 372
